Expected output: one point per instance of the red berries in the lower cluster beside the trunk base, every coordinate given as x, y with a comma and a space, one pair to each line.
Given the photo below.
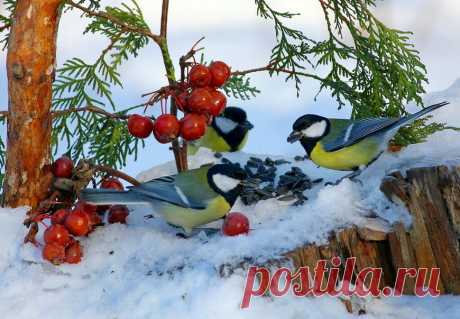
66, 224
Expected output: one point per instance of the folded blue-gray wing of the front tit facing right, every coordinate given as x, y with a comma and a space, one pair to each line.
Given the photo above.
186, 190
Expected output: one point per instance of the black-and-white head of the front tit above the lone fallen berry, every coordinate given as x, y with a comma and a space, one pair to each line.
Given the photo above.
225, 179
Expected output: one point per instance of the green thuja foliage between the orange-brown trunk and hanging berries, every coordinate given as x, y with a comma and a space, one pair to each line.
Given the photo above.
80, 83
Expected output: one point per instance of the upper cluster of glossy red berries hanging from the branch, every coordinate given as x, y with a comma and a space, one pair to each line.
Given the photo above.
200, 100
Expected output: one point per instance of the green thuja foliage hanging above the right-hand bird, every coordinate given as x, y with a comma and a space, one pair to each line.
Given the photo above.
379, 73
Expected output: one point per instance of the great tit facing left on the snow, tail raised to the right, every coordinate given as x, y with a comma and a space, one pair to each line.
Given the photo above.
348, 145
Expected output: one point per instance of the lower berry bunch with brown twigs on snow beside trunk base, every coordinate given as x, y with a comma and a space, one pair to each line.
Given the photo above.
64, 218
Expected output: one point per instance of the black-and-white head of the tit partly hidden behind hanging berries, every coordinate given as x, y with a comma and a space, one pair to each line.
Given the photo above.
233, 126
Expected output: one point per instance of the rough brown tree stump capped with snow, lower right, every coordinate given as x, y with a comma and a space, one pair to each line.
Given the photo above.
432, 197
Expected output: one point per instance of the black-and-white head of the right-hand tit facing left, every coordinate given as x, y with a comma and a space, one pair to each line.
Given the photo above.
309, 129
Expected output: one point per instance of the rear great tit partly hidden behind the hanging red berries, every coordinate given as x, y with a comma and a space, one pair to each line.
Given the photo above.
227, 133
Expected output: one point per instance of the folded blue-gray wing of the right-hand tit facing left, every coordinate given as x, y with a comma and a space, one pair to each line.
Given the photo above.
345, 133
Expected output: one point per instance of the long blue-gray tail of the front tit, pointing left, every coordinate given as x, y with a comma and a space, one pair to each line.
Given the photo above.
110, 197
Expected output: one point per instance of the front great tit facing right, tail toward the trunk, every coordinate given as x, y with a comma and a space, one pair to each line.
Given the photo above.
188, 199
